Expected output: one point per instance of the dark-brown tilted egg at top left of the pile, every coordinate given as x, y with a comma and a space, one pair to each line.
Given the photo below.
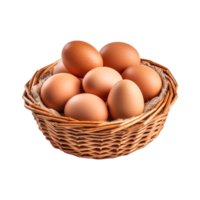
80, 56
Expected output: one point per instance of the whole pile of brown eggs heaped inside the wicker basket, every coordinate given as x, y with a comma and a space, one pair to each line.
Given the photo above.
91, 84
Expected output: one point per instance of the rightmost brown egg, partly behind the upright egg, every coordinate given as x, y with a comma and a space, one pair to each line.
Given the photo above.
146, 78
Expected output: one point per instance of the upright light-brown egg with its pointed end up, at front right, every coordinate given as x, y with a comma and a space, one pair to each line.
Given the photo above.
125, 100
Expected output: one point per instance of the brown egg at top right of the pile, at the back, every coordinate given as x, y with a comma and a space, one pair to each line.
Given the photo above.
119, 55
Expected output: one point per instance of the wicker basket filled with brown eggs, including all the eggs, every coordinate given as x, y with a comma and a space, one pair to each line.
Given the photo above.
100, 103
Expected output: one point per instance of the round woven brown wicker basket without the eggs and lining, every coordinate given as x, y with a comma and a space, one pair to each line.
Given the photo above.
101, 140
